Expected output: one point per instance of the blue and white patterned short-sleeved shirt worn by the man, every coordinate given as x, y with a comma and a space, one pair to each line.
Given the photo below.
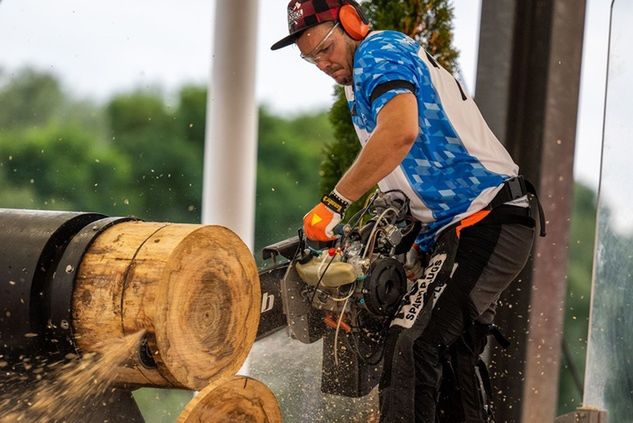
456, 165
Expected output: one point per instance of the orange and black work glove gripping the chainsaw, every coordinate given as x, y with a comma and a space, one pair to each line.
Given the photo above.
319, 223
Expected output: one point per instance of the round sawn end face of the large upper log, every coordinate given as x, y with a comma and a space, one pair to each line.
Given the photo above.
210, 307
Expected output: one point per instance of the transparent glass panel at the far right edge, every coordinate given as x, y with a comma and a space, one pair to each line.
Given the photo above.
609, 371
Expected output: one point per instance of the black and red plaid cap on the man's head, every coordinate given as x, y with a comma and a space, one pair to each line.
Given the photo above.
304, 14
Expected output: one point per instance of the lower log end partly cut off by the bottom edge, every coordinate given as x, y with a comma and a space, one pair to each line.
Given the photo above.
233, 399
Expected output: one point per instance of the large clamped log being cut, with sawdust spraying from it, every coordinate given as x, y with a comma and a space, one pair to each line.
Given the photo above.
194, 289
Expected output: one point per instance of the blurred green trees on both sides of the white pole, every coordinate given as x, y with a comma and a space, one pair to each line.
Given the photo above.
139, 155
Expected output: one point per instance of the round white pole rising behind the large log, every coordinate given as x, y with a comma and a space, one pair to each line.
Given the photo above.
231, 133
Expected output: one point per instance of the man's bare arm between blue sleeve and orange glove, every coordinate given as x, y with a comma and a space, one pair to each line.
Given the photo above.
396, 131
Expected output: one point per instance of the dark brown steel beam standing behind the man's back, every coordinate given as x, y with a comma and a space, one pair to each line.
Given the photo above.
537, 113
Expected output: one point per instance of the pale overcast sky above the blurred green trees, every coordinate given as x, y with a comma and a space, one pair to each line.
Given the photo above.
101, 48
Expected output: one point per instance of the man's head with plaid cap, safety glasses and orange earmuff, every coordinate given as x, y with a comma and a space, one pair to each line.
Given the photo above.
327, 33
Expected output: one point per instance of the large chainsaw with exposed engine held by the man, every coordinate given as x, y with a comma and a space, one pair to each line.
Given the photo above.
344, 292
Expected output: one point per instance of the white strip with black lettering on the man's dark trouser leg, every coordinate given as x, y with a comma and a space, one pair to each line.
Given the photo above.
413, 302
